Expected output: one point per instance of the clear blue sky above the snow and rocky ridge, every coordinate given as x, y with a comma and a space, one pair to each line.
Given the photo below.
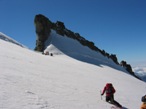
116, 26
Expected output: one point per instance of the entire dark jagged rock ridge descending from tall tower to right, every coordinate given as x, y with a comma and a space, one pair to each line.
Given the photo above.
43, 29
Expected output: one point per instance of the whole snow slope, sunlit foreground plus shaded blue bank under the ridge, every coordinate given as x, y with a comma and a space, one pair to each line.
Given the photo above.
70, 79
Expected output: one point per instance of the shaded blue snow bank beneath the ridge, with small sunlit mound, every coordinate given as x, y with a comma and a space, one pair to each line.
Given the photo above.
74, 49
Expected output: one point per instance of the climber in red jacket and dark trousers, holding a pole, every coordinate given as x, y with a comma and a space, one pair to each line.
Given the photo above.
109, 89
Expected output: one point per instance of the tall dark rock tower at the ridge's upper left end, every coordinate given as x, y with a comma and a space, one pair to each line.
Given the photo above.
43, 29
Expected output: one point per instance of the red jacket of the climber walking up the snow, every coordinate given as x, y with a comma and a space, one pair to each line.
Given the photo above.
108, 85
